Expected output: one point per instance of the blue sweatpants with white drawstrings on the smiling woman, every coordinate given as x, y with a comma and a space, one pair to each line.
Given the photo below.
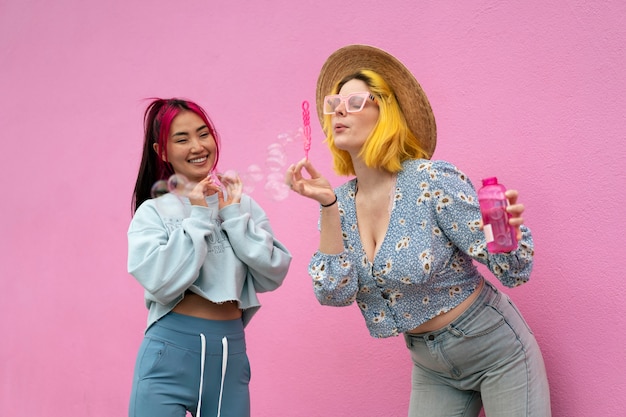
182, 356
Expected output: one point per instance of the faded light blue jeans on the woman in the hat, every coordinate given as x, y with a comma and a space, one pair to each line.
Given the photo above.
487, 357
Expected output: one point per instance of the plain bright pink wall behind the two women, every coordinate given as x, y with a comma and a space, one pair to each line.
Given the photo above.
531, 92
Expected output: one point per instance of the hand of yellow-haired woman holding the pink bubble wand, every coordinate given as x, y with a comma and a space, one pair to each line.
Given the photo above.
315, 187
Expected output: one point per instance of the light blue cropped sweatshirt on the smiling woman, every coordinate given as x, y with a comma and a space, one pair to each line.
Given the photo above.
222, 255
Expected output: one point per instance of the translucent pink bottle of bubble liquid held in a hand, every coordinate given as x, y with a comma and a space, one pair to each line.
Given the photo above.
501, 237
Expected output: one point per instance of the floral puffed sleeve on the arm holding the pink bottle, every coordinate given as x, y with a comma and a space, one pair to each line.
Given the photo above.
455, 207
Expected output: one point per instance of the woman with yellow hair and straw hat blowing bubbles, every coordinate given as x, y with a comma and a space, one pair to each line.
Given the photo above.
401, 238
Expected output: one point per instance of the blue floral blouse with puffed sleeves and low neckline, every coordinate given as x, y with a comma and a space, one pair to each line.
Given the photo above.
424, 266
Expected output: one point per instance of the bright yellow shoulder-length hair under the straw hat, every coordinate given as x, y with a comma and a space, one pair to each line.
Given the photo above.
390, 143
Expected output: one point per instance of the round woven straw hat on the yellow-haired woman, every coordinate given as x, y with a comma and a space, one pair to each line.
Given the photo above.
412, 99
